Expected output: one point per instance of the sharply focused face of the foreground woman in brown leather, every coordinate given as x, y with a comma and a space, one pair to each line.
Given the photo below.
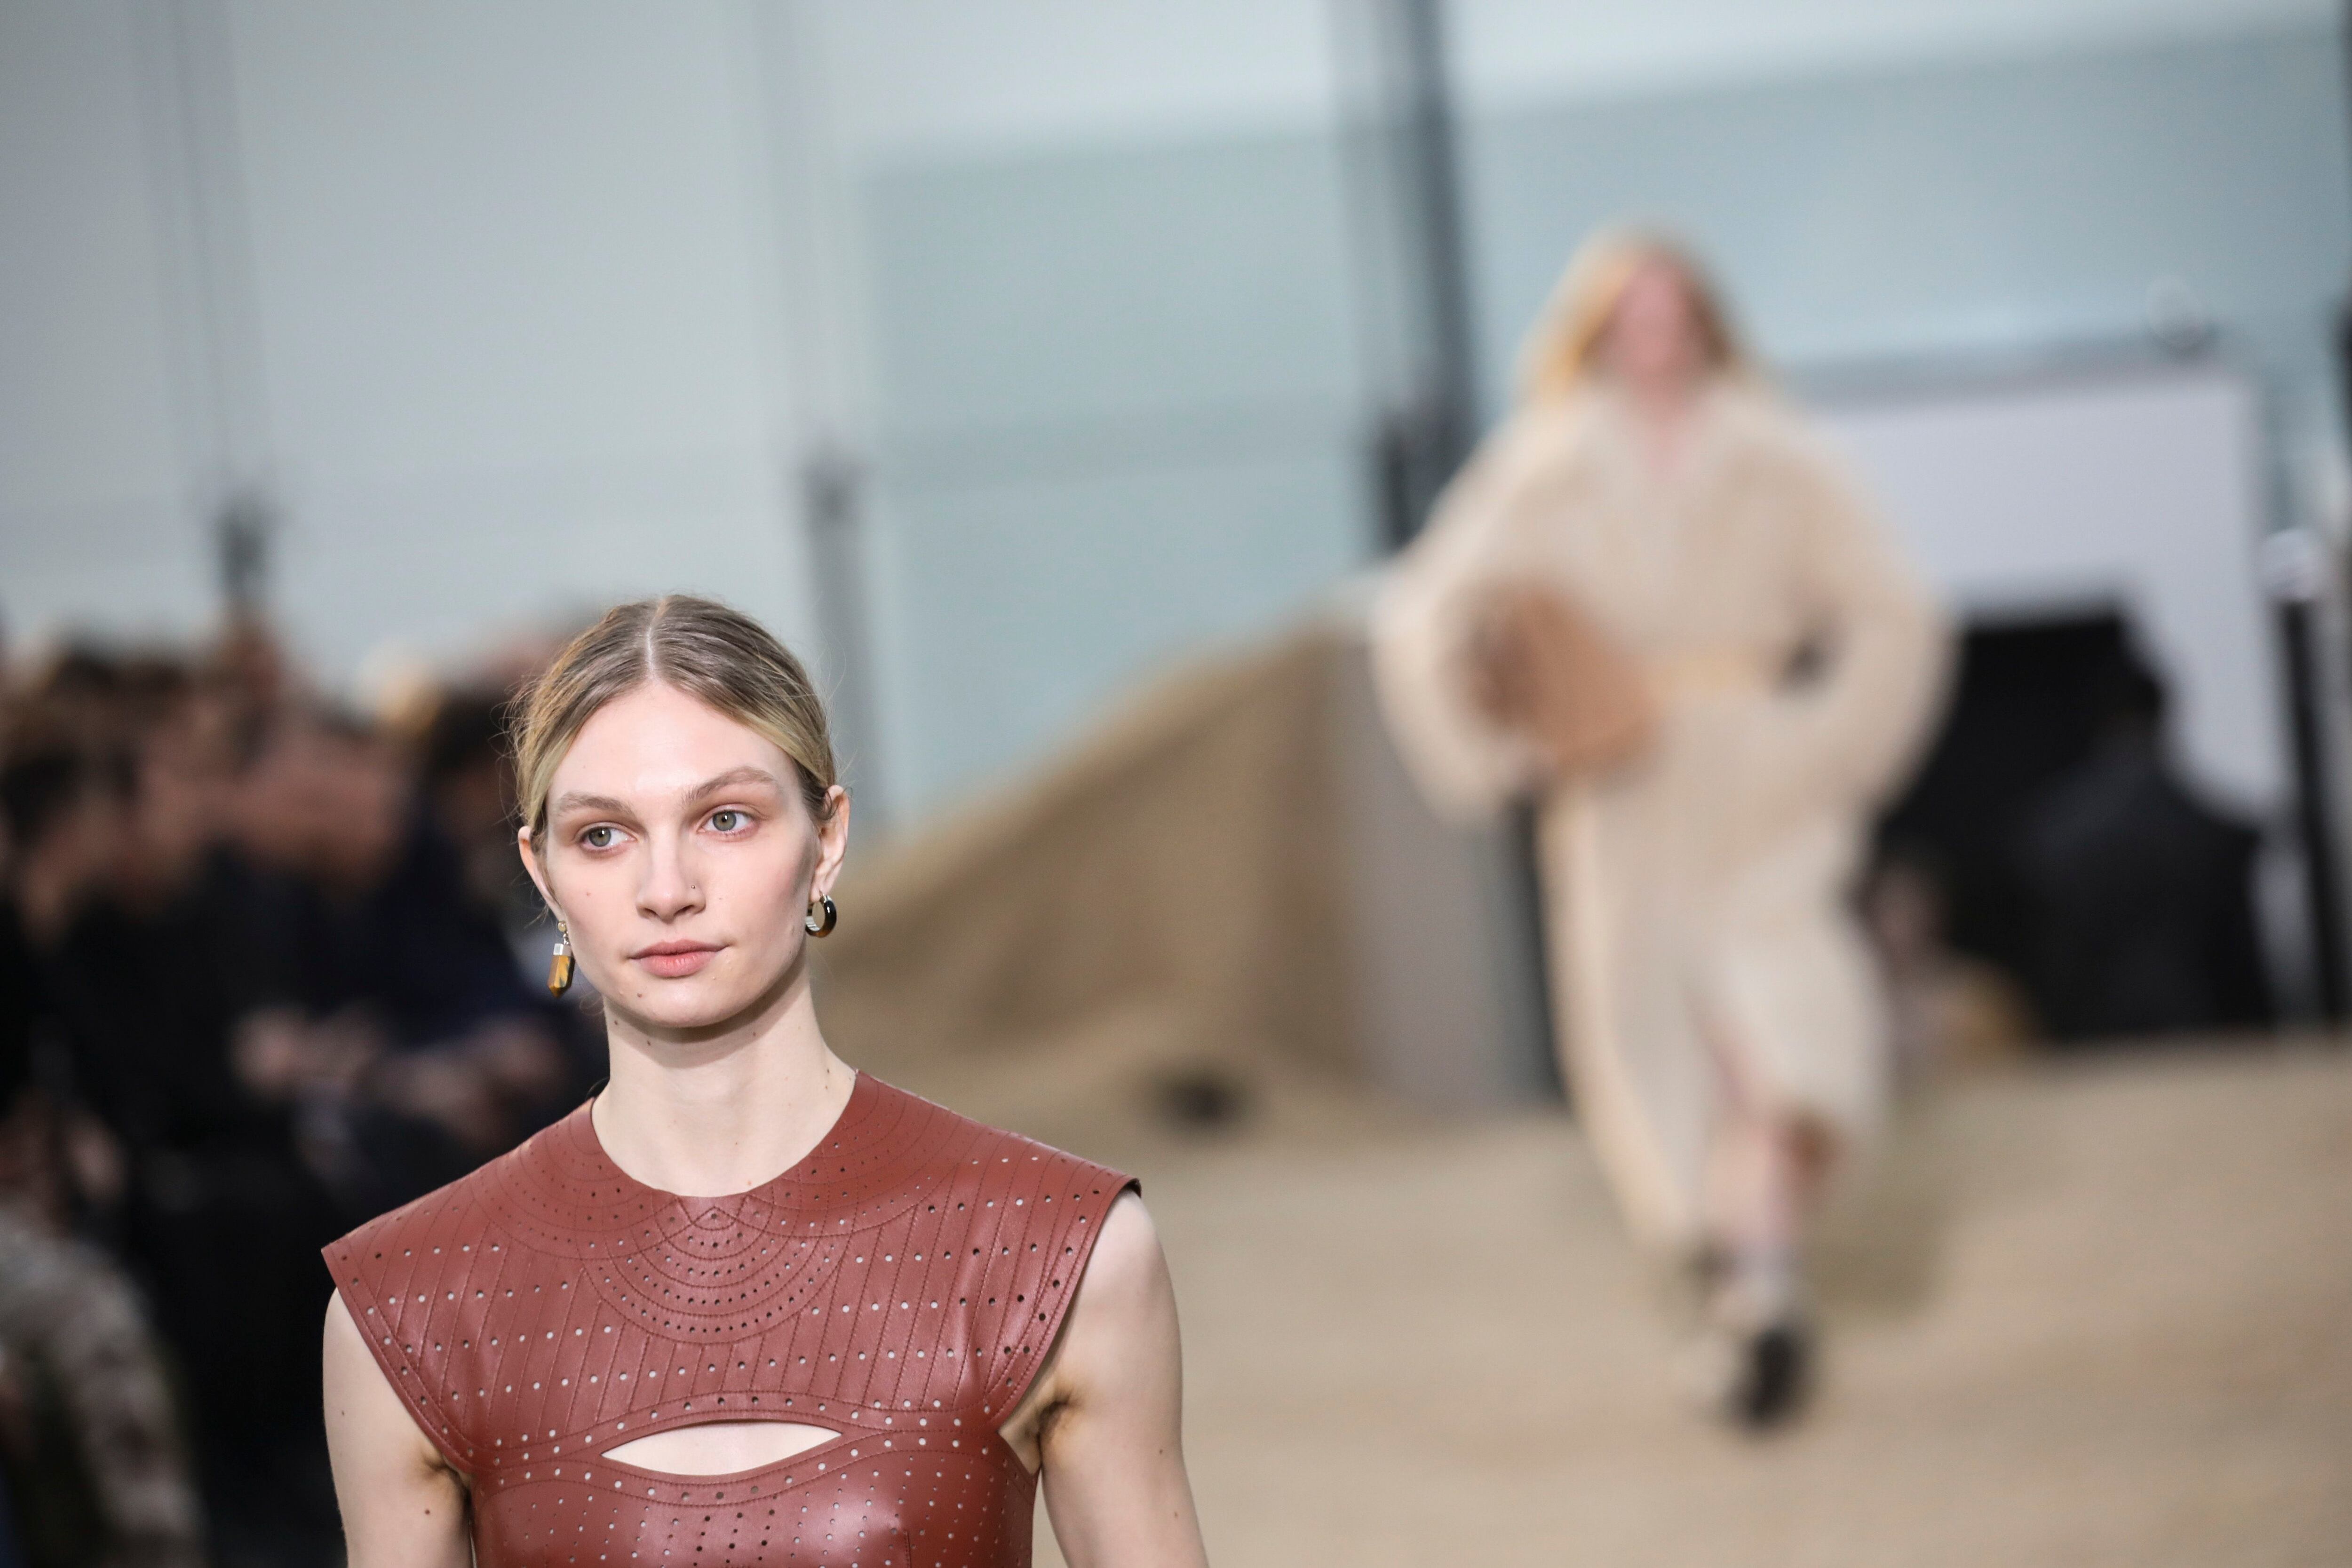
683, 857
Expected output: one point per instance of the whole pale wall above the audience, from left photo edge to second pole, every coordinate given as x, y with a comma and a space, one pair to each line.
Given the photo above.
514, 326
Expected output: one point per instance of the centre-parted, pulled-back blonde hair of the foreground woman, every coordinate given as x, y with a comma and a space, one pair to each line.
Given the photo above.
702, 648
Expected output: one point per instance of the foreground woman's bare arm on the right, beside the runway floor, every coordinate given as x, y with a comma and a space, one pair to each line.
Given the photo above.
1107, 1416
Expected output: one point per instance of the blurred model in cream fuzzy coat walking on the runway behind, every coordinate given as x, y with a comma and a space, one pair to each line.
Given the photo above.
1655, 605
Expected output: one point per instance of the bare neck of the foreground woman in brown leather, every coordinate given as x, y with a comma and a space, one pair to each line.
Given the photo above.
728, 1111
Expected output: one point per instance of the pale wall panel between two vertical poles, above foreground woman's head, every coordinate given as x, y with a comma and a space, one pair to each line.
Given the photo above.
519, 311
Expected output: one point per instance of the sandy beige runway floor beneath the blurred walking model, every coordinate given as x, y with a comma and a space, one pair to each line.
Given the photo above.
2085, 1315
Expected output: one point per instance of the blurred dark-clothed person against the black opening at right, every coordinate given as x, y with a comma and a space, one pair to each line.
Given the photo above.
2141, 894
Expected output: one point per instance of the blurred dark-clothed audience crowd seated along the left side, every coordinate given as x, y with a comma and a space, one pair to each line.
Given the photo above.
262, 960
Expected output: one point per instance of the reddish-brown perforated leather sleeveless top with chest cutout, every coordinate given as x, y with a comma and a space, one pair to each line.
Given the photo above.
900, 1287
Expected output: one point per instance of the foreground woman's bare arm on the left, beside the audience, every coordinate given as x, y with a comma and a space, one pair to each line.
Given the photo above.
403, 1506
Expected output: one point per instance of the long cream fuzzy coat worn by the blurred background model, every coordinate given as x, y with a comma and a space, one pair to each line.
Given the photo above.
1697, 899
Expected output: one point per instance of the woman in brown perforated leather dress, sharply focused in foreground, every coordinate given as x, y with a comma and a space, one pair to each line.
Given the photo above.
747, 1306
